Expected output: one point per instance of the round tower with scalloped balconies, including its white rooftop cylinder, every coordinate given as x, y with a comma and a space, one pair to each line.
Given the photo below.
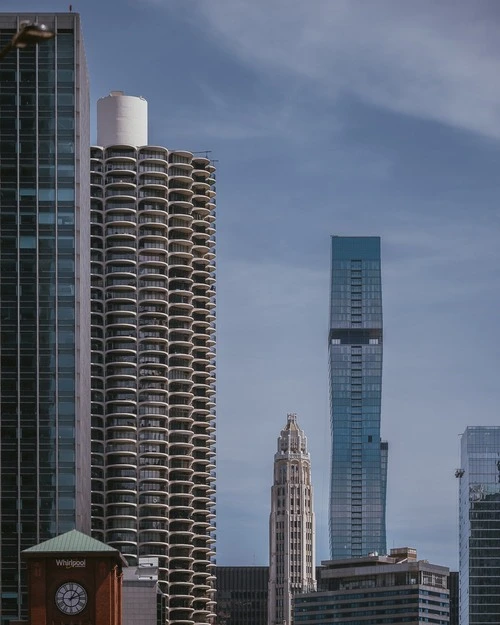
153, 355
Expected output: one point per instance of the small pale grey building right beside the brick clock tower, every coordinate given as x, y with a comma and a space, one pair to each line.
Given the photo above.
141, 598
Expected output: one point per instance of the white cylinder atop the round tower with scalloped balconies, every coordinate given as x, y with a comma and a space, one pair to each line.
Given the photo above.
122, 120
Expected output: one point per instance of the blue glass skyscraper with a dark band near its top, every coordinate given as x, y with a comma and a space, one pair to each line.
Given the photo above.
359, 458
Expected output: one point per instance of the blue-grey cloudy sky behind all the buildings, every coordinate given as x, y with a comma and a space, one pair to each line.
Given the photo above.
332, 117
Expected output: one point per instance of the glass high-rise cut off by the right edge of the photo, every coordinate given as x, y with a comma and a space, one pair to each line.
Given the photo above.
479, 526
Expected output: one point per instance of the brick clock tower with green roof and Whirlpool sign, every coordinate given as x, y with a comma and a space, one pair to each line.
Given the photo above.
74, 579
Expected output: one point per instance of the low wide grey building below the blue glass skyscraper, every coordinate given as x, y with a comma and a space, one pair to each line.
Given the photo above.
377, 590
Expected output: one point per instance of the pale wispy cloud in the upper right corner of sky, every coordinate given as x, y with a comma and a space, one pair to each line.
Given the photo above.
435, 62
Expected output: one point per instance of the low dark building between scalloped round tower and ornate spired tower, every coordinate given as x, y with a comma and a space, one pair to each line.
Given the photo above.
242, 595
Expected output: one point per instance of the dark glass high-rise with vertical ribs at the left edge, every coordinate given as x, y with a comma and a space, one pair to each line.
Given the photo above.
44, 295
